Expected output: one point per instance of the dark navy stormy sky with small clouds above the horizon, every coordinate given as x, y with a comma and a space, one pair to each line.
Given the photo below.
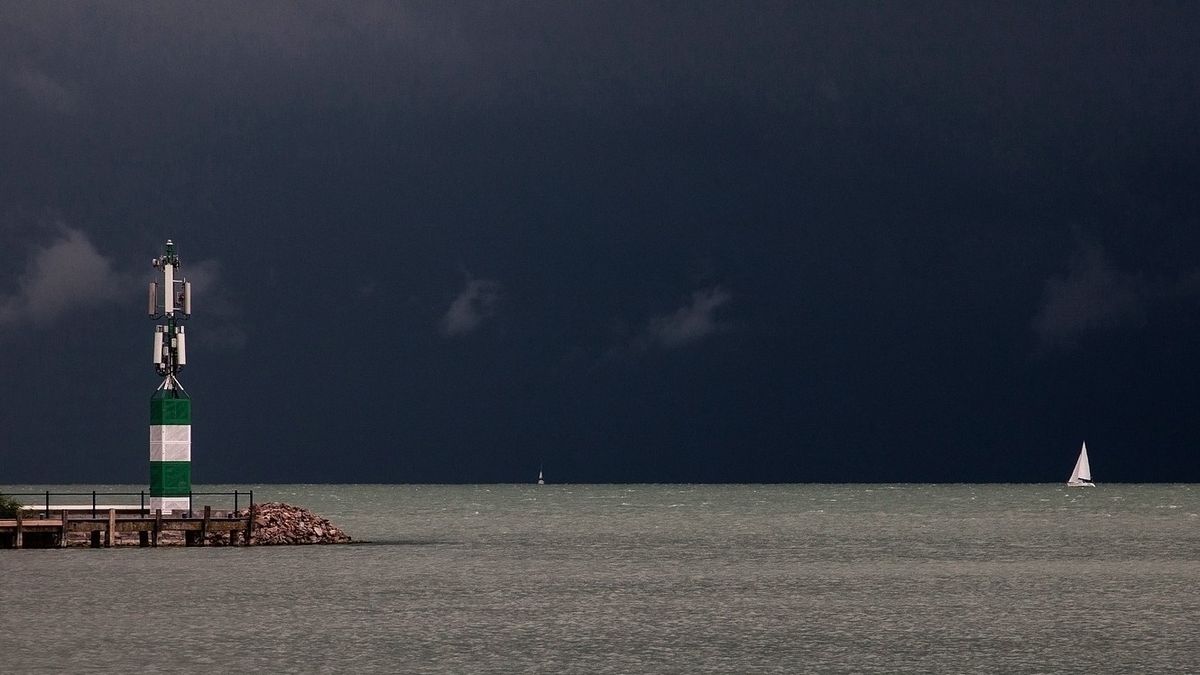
742, 242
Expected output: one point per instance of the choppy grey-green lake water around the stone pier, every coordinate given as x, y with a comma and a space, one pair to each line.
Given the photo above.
641, 580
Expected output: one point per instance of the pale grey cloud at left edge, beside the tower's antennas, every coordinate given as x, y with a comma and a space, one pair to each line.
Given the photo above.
67, 276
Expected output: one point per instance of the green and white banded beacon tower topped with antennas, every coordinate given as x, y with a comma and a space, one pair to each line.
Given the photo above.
171, 409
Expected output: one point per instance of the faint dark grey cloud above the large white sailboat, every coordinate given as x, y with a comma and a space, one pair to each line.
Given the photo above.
1091, 296
